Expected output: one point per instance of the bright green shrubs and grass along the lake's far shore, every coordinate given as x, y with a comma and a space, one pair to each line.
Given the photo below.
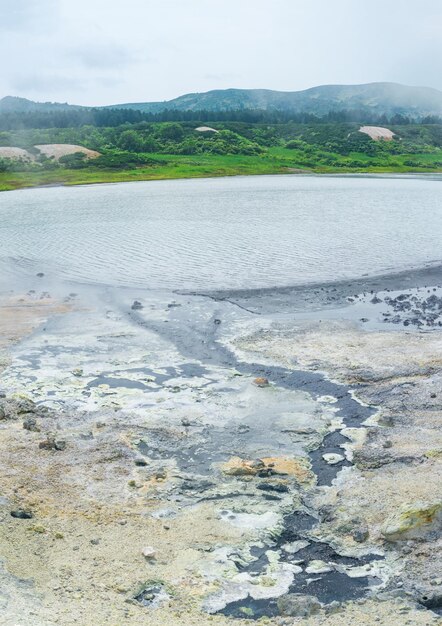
153, 150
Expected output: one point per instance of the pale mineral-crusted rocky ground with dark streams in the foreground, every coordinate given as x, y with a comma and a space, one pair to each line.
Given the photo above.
175, 459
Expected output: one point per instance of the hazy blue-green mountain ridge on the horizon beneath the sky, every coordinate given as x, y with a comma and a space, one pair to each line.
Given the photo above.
376, 98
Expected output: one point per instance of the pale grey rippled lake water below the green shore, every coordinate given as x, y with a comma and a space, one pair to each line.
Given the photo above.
240, 232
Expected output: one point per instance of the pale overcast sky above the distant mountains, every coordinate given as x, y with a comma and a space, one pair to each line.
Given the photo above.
109, 51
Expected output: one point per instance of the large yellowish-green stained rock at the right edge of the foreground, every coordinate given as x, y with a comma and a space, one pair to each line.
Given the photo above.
412, 521
